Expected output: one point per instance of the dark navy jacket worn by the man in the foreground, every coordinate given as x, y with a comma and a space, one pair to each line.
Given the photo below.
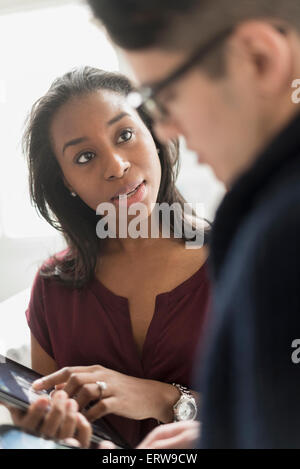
251, 387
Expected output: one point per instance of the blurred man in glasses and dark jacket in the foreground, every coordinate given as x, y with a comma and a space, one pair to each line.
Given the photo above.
220, 73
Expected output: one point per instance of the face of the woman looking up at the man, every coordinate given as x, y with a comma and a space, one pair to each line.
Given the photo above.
105, 150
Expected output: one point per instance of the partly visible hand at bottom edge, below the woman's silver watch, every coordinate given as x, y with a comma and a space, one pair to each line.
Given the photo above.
179, 435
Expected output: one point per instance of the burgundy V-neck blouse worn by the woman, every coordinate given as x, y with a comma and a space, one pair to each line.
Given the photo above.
81, 327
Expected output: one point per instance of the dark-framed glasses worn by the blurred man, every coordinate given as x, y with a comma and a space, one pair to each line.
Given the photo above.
146, 97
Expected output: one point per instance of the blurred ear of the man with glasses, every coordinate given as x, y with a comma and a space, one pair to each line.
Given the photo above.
270, 54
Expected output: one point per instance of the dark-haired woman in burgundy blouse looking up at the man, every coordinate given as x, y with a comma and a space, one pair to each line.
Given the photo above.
124, 312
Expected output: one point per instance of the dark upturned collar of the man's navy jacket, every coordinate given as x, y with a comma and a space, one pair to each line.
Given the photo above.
243, 196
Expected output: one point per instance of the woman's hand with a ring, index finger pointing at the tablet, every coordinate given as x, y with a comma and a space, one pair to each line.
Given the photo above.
124, 395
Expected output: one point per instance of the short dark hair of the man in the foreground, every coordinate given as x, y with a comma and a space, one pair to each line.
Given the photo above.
185, 24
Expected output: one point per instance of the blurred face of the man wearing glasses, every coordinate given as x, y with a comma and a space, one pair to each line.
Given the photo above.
226, 120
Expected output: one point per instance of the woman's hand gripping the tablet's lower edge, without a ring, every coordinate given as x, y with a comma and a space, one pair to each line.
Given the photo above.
56, 418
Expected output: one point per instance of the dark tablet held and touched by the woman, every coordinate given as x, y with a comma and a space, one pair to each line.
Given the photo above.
16, 390
